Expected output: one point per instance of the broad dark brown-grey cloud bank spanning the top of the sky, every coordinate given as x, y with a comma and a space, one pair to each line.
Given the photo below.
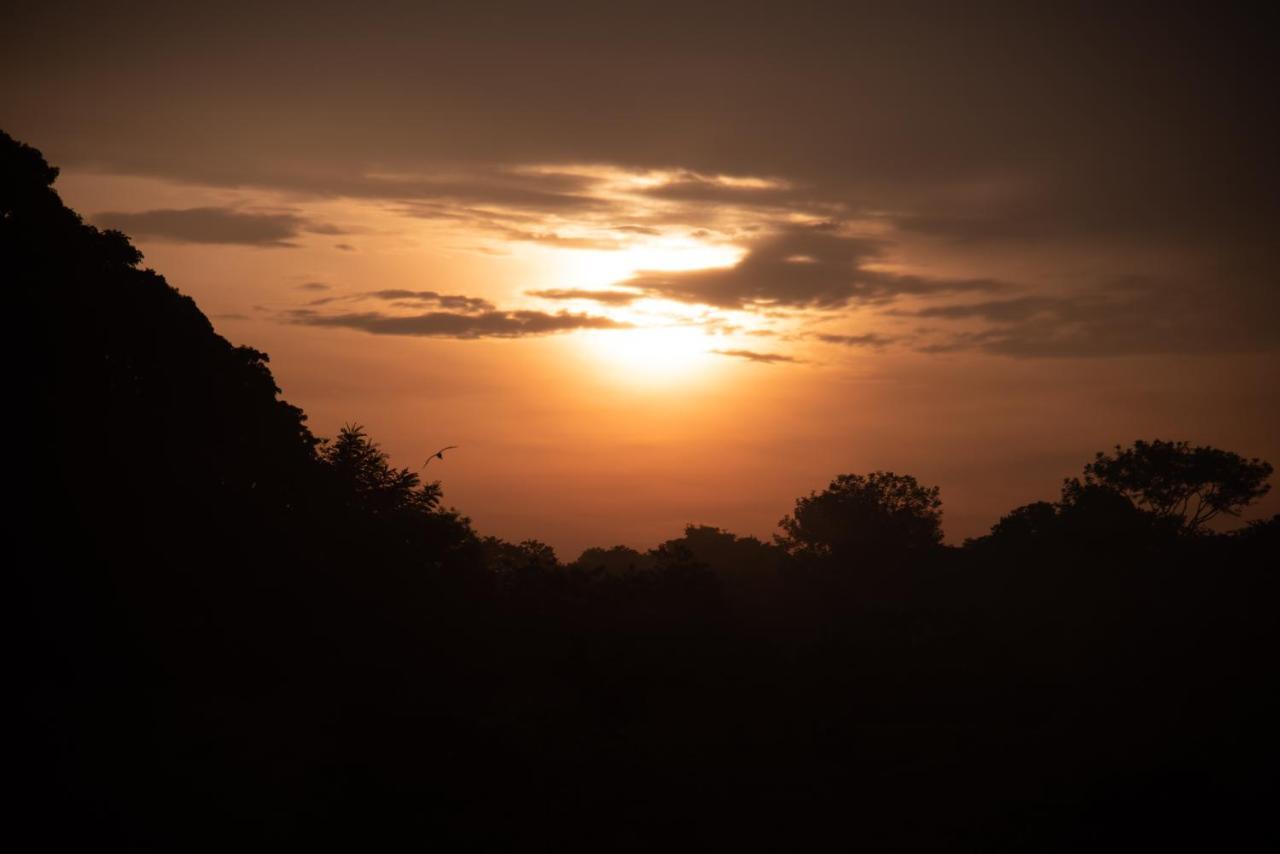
892, 115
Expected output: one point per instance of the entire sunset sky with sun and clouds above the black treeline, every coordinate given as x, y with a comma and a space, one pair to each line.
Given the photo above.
657, 264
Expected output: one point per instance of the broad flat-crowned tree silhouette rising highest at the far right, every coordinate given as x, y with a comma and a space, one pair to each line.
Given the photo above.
1185, 485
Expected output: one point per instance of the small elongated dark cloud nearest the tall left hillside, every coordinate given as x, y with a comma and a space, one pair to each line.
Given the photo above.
209, 226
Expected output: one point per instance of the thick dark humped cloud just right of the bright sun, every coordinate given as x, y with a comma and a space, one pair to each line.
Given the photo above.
802, 267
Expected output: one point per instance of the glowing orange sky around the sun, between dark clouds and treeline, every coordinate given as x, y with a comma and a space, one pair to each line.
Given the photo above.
684, 413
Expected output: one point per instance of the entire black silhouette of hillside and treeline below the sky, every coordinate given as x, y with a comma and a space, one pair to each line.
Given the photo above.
235, 634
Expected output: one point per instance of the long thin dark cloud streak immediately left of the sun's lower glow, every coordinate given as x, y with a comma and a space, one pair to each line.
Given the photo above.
446, 325
